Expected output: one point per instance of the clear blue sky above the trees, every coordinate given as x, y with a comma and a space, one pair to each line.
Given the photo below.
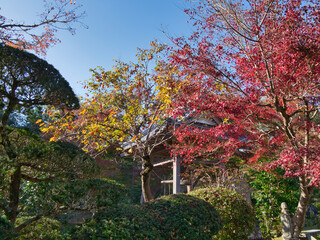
115, 29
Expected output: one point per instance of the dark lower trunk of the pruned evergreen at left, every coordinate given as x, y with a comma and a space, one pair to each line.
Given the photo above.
14, 195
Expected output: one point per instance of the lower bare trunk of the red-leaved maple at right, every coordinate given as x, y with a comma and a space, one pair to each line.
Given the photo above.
300, 216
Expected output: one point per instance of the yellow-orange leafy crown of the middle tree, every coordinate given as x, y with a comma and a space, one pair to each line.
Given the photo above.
121, 103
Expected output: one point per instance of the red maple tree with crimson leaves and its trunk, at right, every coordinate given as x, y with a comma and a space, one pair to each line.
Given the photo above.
256, 66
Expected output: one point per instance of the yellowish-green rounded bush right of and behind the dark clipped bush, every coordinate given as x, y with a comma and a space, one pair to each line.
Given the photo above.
236, 214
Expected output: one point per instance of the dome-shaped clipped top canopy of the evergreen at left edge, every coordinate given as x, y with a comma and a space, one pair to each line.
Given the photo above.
36, 81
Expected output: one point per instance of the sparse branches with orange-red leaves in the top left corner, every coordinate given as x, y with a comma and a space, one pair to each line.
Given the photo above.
41, 34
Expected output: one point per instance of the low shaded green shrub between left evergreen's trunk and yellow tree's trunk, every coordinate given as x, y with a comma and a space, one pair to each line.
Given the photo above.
85, 194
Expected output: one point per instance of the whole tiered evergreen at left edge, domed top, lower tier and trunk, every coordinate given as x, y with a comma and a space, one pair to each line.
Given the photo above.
27, 82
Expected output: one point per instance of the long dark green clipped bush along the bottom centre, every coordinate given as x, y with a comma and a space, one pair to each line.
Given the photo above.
170, 217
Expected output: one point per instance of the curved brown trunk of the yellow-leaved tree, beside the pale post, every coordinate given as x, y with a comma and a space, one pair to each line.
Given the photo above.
145, 178
